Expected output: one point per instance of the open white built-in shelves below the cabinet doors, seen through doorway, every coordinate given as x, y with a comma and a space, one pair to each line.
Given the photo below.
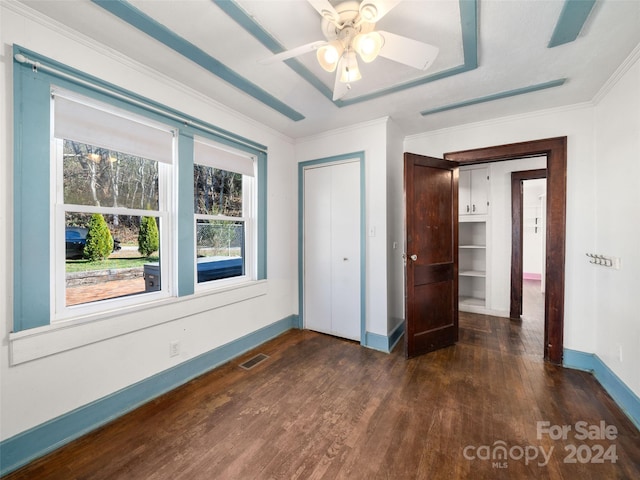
472, 265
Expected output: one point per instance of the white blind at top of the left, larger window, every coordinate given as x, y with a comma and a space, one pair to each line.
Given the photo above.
88, 122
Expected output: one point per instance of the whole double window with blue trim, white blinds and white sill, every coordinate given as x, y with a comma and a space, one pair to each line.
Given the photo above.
86, 151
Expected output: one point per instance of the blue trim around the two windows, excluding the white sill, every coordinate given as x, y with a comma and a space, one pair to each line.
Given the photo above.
32, 171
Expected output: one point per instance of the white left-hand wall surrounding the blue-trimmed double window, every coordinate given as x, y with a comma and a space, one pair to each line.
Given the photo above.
37, 391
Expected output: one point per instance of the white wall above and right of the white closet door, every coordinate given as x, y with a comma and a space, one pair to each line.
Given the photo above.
371, 138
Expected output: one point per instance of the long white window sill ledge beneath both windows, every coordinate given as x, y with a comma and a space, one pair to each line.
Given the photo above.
41, 342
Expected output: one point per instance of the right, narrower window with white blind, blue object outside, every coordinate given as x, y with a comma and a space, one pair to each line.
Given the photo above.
224, 213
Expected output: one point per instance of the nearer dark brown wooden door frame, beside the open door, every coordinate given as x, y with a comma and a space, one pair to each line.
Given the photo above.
555, 150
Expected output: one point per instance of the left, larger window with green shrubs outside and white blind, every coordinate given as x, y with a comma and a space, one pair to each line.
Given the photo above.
111, 205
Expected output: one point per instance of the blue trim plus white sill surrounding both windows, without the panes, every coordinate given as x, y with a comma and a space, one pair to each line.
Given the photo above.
36, 332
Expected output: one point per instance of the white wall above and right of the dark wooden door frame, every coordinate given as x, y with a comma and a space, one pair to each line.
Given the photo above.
576, 123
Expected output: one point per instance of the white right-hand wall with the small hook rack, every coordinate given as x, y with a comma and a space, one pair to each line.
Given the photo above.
617, 192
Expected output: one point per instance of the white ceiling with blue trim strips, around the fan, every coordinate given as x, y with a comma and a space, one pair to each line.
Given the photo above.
494, 57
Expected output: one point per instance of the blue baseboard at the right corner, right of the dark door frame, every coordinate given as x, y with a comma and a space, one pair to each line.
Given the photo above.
628, 401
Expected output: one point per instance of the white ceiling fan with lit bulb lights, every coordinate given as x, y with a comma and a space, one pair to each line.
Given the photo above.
349, 29
